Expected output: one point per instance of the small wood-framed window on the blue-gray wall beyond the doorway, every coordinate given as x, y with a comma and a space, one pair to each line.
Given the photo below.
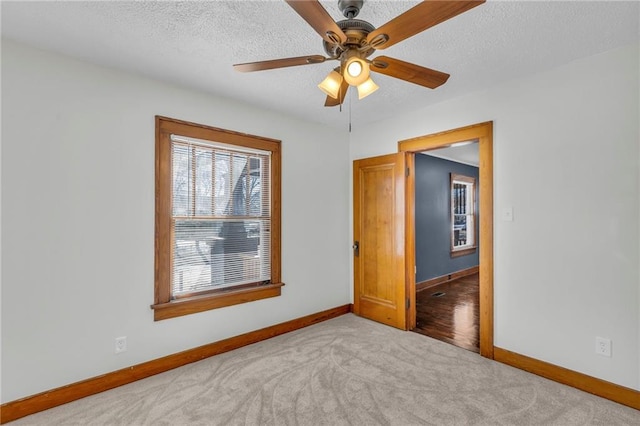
463, 220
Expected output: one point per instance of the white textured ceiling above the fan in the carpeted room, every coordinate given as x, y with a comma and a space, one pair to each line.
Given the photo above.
194, 44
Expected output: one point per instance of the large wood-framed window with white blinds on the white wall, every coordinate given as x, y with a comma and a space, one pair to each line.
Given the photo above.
217, 218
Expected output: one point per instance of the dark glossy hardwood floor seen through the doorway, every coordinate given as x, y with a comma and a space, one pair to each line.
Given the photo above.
452, 317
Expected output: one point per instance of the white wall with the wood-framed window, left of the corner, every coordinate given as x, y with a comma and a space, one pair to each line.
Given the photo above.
78, 218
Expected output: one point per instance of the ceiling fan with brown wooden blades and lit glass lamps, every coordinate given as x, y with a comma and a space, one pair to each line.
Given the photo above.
351, 41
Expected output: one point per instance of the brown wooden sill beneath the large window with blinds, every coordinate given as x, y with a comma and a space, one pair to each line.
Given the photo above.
192, 305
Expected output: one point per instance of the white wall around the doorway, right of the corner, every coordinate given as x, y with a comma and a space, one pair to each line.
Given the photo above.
566, 149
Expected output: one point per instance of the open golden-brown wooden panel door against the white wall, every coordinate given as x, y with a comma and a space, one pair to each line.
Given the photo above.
379, 239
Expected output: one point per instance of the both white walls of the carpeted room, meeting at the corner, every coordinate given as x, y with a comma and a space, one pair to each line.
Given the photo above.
77, 225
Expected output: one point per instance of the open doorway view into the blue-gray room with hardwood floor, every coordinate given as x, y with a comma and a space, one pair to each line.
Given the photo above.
446, 244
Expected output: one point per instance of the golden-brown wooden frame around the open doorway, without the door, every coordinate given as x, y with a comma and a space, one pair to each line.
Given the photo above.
483, 134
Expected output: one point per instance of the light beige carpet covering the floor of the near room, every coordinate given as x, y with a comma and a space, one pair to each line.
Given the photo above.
345, 371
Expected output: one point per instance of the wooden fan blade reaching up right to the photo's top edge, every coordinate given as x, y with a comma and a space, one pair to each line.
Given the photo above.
417, 19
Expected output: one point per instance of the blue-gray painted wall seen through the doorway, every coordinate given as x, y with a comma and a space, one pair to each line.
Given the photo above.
433, 221
